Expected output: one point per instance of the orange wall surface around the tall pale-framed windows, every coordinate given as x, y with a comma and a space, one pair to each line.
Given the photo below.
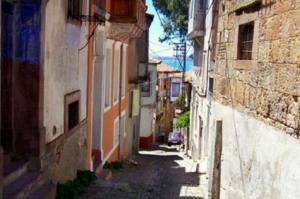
113, 113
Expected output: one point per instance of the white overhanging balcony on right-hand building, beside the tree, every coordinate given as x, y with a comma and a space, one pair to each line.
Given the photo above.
196, 26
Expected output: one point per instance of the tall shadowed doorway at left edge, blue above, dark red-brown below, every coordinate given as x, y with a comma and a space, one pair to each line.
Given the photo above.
20, 69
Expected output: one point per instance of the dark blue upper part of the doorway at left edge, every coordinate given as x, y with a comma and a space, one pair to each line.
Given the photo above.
21, 25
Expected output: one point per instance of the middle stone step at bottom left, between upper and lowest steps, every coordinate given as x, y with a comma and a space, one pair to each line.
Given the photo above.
23, 186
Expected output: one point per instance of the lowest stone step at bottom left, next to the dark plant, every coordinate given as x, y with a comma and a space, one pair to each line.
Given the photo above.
45, 191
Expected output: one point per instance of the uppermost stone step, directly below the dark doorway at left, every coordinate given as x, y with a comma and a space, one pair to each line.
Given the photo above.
14, 171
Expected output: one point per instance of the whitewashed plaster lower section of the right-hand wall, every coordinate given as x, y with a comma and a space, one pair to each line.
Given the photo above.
258, 161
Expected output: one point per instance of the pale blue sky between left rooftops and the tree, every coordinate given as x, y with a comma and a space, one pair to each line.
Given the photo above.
157, 48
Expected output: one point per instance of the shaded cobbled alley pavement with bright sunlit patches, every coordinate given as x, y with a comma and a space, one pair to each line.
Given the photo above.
162, 172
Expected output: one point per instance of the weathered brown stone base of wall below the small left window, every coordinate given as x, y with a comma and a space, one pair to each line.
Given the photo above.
63, 157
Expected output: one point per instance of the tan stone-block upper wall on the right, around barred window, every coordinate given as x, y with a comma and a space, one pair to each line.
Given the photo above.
268, 86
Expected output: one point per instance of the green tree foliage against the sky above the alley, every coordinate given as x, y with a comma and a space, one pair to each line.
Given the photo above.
175, 18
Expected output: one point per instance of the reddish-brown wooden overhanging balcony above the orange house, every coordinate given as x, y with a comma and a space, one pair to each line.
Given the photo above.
127, 19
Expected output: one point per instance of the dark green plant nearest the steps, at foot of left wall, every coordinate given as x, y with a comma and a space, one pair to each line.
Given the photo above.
72, 189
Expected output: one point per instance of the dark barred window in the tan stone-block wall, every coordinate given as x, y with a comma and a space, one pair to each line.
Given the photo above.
245, 41
